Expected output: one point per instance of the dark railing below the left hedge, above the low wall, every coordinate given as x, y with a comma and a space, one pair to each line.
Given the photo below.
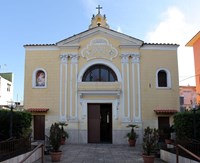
13, 147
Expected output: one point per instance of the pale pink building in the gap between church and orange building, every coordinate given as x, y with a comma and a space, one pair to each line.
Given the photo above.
187, 95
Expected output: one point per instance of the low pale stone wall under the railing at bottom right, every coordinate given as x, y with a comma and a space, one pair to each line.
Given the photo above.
171, 157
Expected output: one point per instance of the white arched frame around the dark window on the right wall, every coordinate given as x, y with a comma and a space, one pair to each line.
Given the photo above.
169, 82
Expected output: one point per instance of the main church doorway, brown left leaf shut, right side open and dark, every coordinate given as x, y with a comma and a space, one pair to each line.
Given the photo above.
99, 123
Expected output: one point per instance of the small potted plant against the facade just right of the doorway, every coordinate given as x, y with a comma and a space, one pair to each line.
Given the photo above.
132, 135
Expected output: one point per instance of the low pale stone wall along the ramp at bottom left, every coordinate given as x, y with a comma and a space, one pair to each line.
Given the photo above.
34, 157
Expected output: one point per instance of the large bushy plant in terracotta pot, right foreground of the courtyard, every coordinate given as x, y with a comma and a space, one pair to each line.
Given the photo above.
150, 143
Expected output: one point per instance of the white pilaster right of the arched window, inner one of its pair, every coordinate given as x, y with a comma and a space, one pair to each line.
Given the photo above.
125, 72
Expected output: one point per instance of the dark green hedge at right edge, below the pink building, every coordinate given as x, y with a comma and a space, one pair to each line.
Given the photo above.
183, 124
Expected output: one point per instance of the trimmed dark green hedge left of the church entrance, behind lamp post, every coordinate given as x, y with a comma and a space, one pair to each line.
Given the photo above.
21, 123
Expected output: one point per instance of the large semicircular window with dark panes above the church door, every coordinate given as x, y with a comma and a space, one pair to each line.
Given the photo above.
99, 73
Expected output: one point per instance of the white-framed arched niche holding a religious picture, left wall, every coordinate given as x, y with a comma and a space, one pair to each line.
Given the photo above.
39, 78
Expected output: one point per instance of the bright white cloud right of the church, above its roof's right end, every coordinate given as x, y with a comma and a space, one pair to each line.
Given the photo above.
175, 28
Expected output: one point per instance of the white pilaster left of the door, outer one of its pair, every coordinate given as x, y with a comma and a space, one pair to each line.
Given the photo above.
63, 67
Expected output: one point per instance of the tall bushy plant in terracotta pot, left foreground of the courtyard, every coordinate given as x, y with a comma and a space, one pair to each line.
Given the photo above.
54, 140
